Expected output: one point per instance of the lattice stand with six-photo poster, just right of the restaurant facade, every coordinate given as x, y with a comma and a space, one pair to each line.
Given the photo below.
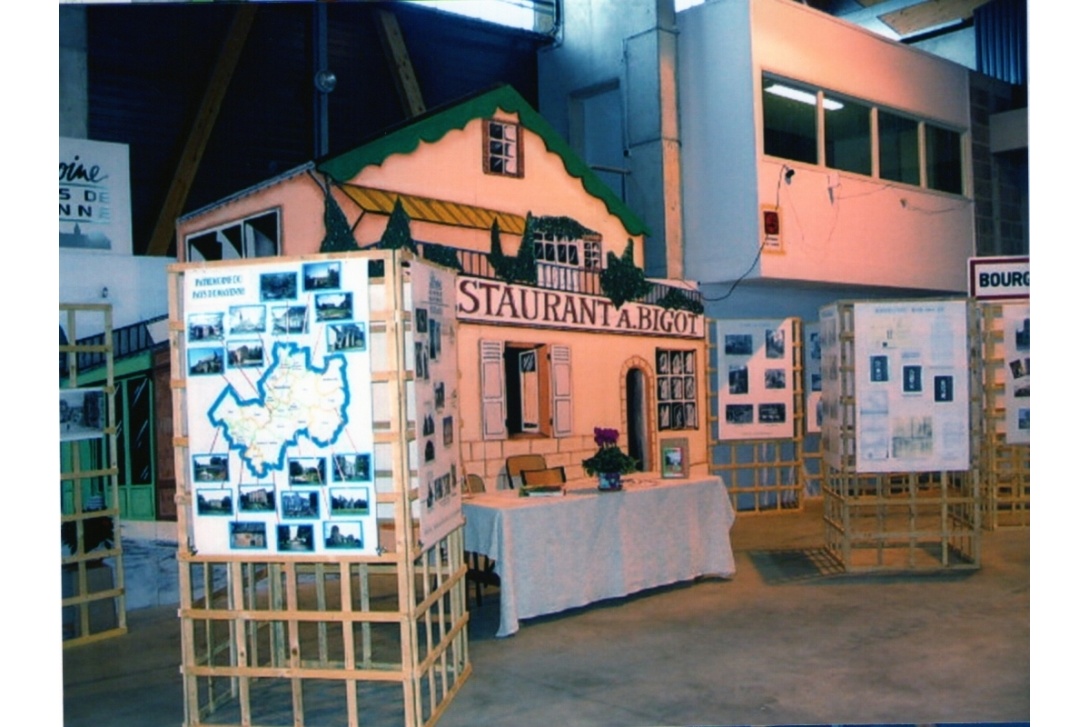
764, 470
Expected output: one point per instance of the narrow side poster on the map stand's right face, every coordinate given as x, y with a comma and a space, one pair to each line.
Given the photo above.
435, 382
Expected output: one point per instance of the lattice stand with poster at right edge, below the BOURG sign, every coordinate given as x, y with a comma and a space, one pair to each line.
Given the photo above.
1006, 373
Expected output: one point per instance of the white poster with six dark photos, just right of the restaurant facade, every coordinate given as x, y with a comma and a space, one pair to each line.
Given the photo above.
755, 381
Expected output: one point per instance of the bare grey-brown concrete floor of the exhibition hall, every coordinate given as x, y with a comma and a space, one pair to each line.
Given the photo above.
779, 645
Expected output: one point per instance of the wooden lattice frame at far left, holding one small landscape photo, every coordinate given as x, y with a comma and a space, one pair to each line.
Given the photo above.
94, 613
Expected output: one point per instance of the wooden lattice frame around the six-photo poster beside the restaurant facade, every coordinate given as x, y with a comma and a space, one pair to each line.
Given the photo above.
762, 476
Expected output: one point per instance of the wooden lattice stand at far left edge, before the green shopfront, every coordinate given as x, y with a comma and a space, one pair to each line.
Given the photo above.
93, 577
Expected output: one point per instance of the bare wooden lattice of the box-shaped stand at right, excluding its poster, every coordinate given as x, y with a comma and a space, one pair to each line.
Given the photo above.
914, 522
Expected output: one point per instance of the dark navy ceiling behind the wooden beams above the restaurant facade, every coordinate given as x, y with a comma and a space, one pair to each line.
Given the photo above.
149, 68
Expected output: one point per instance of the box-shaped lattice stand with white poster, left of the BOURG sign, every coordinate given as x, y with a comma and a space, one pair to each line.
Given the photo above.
892, 516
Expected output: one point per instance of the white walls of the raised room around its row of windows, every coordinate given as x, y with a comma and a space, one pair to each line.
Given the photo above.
839, 228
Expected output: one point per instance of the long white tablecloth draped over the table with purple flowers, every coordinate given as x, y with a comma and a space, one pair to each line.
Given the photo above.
559, 553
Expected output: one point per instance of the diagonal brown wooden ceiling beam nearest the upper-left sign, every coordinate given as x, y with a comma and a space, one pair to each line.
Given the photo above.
186, 171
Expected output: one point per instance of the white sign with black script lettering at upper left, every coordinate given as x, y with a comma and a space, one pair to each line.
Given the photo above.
95, 208
